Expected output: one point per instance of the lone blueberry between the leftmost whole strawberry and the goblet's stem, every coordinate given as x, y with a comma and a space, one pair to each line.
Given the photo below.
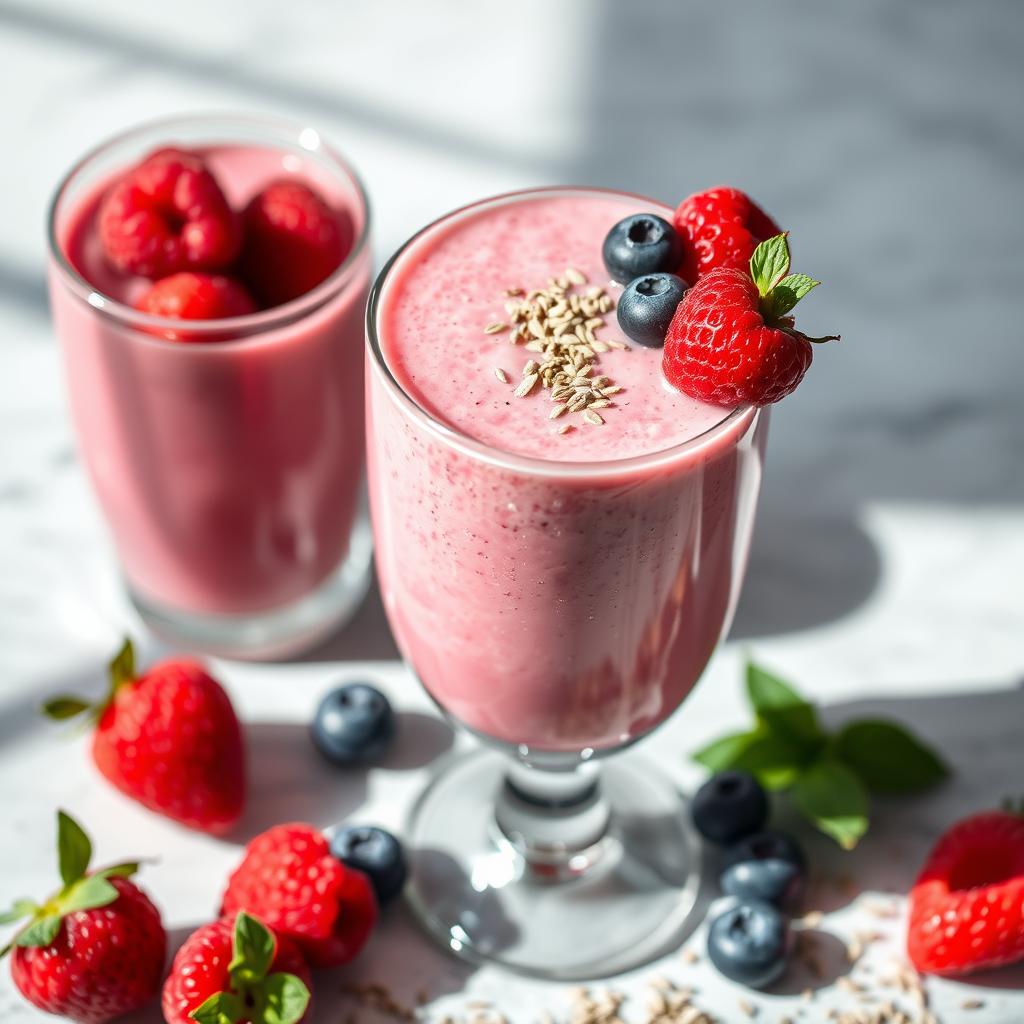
354, 723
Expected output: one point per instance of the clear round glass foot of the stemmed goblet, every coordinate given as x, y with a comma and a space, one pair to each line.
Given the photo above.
619, 903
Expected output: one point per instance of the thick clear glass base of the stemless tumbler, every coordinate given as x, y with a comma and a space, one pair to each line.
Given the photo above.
281, 632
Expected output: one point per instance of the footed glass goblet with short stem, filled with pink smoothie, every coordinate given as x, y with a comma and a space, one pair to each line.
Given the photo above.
560, 612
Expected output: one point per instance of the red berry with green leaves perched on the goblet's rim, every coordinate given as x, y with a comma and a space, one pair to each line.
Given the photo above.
732, 339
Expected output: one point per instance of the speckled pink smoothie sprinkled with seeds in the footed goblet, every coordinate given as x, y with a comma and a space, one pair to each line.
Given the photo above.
559, 591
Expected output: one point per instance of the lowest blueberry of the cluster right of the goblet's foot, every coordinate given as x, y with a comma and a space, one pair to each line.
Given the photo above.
751, 944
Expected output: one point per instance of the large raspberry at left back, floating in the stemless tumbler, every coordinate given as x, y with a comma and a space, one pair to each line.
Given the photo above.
168, 215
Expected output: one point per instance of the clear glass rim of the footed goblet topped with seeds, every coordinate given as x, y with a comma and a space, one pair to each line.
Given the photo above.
468, 445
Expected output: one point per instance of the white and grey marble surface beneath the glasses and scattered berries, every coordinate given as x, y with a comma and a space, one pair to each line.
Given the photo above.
887, 568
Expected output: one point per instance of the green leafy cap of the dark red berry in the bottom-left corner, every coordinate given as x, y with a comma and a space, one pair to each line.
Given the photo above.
81, 891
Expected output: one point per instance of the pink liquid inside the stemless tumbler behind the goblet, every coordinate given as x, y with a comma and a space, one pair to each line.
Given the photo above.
230, 472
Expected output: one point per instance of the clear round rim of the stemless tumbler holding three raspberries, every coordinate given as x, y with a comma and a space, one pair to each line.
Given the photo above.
252, 326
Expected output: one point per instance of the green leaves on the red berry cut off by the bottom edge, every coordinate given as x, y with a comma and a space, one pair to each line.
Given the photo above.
255, 996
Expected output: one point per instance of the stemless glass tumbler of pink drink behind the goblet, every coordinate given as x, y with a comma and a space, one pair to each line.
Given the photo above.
230, 465
